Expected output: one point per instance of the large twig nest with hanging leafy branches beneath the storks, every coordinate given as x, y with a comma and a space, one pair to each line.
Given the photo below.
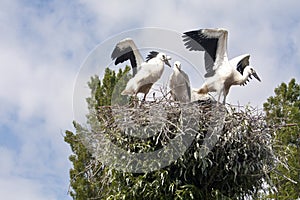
200, 143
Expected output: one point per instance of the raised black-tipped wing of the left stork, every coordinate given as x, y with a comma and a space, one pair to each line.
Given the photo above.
127, 50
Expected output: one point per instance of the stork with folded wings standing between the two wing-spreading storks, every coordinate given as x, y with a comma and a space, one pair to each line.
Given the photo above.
180, 84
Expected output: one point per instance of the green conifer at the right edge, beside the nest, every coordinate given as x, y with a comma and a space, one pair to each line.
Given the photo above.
283, 111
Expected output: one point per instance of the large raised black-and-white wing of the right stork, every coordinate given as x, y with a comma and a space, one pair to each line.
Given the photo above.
213, 42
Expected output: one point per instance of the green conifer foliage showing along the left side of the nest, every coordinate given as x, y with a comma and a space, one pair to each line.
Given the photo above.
85, 166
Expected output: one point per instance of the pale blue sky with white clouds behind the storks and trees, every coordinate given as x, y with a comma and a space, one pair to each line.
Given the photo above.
45, 43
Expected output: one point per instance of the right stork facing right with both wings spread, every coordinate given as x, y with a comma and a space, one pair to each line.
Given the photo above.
221, 73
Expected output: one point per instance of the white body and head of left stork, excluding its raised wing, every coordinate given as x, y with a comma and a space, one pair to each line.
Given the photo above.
149, 72
